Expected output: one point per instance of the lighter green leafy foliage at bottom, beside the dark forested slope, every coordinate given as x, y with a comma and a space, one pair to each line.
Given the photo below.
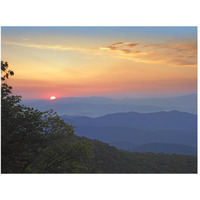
63, 155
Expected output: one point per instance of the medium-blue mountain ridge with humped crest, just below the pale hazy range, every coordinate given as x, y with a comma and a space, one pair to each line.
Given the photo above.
159, 121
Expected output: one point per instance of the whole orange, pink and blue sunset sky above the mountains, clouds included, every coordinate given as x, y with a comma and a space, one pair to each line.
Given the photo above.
101, 61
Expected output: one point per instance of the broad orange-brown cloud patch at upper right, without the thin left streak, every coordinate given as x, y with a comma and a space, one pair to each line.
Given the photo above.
177, 53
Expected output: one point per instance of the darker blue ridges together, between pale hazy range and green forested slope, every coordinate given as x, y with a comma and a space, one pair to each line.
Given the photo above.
168, 132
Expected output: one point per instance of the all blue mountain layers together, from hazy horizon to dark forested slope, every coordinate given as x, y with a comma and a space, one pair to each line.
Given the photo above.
166, 125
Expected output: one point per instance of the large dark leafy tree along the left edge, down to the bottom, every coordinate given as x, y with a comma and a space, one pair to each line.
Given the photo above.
37, 142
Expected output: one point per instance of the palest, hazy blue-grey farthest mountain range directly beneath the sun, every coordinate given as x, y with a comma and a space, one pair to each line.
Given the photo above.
98, 106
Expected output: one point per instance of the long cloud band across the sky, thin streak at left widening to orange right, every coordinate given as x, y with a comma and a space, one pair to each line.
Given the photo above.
176, 53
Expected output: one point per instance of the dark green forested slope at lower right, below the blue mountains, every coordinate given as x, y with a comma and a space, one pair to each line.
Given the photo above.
108, 159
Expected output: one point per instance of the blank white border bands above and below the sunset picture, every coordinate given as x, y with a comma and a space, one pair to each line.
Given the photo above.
99, 13
